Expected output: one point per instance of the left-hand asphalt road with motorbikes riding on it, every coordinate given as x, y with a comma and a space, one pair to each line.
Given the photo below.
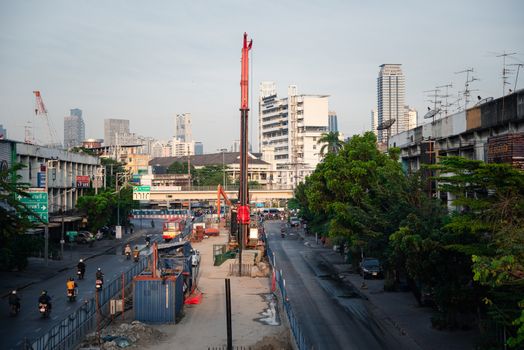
28, 323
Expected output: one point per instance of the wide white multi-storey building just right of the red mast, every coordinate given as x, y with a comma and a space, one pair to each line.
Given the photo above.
289, 130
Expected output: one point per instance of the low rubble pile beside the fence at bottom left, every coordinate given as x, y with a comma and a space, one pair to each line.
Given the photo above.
125, 335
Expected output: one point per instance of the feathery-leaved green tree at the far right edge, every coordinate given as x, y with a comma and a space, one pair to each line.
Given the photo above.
489, 199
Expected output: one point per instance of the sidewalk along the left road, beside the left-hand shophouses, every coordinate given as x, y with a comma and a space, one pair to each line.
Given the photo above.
37, 270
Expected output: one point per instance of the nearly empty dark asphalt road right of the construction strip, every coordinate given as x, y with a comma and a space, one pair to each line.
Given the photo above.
330, 315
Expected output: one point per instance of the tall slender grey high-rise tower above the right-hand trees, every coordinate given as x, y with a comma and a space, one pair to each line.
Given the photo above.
390, 99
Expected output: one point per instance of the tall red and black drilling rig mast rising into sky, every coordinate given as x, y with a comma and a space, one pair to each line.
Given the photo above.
243, 208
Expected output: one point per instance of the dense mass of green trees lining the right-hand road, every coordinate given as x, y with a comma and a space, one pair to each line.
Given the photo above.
471, 257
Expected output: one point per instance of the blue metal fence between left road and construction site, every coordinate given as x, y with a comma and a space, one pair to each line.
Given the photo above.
69, 332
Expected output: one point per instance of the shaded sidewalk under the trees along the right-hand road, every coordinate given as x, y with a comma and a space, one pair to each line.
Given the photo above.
397, 310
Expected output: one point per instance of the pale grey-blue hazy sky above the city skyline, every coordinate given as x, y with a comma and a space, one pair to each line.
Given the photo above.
147, 61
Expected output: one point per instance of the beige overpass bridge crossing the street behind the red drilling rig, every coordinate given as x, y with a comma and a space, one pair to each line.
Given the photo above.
171, 194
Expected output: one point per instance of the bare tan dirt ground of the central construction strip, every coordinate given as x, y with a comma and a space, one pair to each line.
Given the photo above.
204, 325
